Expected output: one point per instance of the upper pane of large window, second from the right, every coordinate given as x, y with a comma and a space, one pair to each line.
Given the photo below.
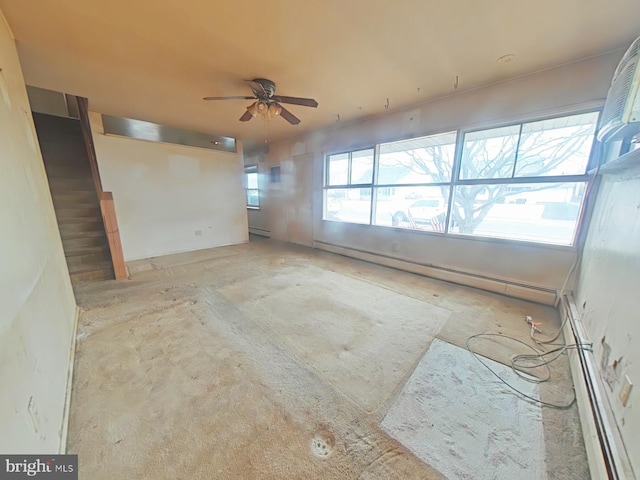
489, 153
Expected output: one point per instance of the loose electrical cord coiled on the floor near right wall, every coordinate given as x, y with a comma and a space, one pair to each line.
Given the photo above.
517, 365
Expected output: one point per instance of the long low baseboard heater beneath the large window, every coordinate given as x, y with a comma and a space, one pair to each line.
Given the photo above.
524, 292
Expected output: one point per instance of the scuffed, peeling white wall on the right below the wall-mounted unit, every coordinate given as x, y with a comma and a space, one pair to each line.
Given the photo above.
608, 294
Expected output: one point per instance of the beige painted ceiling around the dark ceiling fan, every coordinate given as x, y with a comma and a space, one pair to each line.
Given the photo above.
155, 60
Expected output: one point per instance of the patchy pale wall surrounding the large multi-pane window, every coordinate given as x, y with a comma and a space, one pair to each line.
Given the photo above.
554, 91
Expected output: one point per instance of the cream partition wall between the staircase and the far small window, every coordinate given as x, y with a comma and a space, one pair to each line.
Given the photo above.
171, 198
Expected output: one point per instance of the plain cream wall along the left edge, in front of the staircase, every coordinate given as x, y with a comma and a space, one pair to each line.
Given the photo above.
37, 304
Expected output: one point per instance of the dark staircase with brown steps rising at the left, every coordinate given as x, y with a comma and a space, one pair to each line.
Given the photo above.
75, 198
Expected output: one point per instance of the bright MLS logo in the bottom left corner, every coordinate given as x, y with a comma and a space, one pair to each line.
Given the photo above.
46, 467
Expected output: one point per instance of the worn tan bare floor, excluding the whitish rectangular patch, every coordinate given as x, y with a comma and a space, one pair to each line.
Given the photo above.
269, 360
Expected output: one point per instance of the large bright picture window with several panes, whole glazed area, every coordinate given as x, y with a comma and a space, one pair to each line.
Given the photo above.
525, 181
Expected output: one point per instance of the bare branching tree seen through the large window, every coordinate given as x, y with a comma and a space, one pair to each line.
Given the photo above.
539, 153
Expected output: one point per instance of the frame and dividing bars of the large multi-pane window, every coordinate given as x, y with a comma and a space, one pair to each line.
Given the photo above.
587, 178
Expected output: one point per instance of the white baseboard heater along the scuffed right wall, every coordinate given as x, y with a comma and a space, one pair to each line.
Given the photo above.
605, 450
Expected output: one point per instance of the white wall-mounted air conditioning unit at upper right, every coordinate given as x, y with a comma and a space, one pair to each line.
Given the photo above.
621, 115
